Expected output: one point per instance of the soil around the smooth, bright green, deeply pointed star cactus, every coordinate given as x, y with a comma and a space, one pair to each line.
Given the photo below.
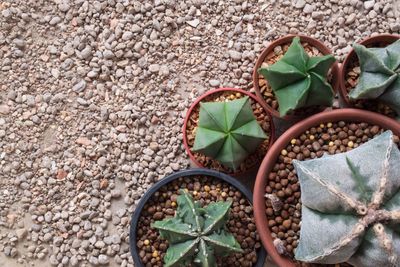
265, 88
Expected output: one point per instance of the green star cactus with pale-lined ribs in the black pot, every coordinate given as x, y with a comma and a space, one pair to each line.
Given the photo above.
197, 235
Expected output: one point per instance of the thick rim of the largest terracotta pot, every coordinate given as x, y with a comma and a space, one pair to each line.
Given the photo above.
352, 115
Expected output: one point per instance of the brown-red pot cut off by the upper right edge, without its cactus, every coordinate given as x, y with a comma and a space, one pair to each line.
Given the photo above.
378, 41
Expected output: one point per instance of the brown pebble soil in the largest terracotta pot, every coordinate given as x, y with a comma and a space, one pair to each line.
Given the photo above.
283, 208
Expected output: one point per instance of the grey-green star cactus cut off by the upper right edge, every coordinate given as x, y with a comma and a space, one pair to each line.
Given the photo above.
380, 75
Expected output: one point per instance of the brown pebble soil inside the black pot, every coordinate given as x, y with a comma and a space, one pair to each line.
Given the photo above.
205, 190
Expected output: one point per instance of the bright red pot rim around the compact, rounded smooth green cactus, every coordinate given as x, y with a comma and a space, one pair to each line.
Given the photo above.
201, 98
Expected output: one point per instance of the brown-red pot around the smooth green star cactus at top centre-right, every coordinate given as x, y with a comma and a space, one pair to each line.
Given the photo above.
285, 40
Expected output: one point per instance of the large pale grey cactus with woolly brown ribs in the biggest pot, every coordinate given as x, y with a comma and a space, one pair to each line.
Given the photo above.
351, 206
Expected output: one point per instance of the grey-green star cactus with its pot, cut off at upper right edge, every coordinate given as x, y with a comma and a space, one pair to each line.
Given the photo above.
370, 75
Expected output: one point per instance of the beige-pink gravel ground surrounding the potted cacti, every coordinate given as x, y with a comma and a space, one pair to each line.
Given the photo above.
92, 98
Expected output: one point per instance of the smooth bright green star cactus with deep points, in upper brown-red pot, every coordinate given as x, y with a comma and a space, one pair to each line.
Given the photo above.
298, 80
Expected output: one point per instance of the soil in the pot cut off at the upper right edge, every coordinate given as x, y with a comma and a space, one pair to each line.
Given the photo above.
352, 73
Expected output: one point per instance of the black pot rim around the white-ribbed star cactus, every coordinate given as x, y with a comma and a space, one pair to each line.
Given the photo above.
261, 254
